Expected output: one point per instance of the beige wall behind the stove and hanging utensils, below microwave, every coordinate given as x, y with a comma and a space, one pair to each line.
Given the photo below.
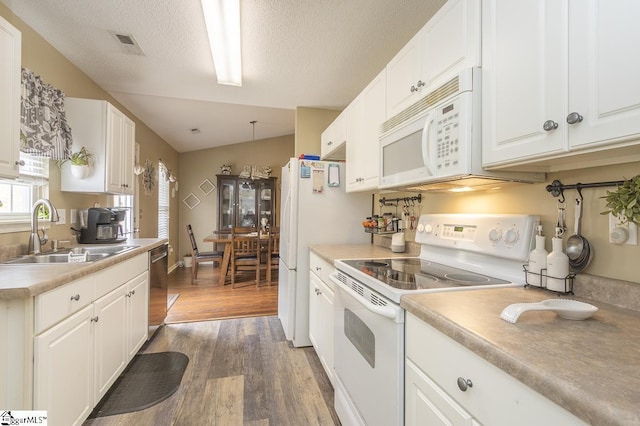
610, 260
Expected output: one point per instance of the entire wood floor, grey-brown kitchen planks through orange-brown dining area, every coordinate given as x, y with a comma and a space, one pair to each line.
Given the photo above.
241, 371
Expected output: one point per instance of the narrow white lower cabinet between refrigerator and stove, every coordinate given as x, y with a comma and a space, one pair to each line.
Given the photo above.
321, 312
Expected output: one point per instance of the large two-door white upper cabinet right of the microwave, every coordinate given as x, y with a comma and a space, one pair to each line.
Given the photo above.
557, 82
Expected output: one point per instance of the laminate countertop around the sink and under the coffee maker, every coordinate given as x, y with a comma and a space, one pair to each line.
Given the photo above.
20, 281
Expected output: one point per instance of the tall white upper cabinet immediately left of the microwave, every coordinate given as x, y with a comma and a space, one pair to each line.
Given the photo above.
365, 116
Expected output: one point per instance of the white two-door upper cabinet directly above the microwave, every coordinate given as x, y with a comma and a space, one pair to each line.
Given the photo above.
449, 42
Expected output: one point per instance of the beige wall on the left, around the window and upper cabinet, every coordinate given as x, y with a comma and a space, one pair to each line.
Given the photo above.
55, 69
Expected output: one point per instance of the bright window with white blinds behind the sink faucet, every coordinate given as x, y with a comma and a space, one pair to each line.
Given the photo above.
18, 195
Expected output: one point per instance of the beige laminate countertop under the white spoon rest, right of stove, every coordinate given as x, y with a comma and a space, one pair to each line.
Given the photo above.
589, 367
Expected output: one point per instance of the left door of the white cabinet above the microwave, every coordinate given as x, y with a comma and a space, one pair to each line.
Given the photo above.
404, 76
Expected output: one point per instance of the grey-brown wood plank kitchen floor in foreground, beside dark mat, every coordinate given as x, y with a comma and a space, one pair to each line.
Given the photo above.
240, 372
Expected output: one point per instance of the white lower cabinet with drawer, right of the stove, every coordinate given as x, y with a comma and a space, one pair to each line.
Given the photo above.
437, 369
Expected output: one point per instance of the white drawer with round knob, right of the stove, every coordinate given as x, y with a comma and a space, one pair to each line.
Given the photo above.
495, 398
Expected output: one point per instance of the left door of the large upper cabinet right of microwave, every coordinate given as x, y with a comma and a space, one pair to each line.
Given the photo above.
524, 61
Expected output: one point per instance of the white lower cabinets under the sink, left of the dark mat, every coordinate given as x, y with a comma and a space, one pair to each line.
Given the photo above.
78, 358
